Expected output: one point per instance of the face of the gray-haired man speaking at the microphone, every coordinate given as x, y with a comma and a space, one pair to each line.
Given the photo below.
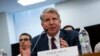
51, 22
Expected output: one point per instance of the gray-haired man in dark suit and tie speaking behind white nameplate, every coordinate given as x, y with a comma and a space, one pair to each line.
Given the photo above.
51, 23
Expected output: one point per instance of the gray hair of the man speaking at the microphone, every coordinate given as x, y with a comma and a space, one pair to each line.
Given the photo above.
49, 10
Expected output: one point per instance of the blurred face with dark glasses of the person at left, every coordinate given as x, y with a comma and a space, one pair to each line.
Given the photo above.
24, 41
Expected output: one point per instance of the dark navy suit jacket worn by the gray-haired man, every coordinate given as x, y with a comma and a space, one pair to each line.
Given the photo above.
70, 36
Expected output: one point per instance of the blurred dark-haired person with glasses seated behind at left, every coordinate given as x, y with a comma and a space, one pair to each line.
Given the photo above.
25, 44
